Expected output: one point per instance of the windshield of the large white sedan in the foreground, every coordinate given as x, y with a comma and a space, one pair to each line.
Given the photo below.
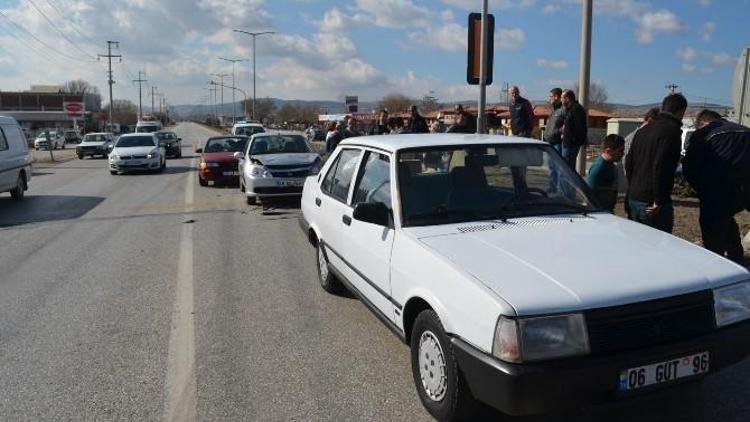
452, 184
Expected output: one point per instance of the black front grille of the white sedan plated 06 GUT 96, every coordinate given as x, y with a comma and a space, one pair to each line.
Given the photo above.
650, 323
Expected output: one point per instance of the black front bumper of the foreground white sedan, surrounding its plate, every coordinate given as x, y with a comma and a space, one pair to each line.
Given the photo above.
543, 387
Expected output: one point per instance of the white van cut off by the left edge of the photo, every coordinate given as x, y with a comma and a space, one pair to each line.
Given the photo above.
15, 160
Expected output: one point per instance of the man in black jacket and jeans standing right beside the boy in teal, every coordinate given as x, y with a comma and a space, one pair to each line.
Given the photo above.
651, 164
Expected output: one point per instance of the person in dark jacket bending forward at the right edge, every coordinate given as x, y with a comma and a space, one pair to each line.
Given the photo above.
717, 166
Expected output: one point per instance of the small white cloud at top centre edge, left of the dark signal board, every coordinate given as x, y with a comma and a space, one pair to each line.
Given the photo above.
396, 13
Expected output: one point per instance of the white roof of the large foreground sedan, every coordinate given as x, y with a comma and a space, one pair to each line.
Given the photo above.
393, 143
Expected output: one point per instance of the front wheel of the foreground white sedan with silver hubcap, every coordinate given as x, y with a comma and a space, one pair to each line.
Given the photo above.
439, 382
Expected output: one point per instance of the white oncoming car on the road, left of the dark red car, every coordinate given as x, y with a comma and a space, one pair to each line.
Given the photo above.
137, 151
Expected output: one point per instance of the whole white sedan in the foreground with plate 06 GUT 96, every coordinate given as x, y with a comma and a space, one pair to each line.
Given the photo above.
512, 291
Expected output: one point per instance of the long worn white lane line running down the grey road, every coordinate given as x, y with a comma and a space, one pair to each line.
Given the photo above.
180, 386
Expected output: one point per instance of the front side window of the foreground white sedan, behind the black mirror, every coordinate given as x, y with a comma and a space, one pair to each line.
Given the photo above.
374, 184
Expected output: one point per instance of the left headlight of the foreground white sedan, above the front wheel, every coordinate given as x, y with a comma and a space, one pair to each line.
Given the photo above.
540, 338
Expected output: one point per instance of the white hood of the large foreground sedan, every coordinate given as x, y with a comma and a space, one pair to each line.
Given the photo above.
551, 264
